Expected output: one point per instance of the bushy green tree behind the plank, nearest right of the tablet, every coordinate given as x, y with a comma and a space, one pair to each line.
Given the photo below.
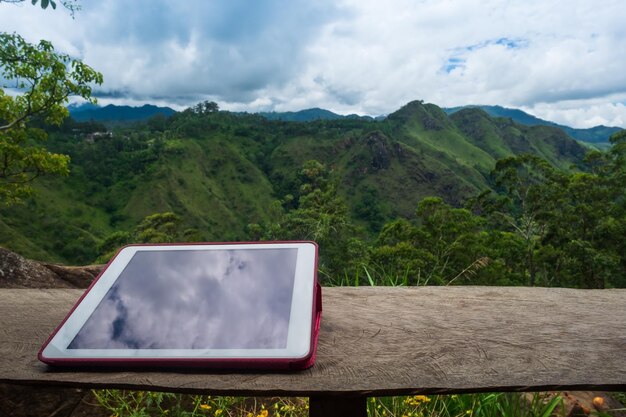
444, 245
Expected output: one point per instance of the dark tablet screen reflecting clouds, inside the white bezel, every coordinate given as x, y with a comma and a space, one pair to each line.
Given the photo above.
198, 299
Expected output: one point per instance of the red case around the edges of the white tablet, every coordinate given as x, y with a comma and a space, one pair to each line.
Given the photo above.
208, 363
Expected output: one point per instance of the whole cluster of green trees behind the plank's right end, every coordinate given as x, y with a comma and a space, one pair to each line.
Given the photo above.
571, 224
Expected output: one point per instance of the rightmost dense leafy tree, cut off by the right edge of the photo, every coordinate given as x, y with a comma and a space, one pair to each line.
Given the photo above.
587, 235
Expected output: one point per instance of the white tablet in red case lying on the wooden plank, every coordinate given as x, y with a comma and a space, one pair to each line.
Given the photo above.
217, 305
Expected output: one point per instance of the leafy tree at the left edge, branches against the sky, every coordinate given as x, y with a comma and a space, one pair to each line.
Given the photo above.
43, 80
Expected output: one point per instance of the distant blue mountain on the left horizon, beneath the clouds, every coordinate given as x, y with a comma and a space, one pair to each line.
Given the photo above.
112, 113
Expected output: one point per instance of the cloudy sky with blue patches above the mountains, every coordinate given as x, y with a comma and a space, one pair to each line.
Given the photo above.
563, 61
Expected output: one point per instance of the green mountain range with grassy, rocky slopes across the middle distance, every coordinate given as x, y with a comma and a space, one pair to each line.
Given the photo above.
223, 171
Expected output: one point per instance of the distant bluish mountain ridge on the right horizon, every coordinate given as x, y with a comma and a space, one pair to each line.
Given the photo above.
597, 136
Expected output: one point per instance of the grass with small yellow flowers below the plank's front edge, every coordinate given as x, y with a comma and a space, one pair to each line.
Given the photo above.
150, 404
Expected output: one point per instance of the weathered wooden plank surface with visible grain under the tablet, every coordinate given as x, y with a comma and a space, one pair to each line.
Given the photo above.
380, 341
